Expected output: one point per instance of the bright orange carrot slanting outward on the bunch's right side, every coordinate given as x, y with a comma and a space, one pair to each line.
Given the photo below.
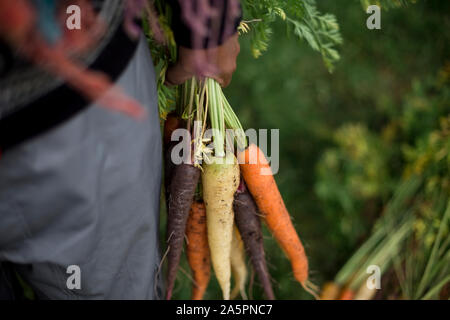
262, 185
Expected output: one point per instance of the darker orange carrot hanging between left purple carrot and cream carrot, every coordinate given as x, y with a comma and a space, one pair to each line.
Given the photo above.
198, 249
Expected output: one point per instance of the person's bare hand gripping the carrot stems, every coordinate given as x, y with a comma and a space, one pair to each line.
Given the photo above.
218, 63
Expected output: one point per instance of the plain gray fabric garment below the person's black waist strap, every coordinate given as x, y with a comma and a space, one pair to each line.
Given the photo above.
86, 194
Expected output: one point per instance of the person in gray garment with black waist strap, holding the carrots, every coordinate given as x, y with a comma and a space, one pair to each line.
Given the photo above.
80, 184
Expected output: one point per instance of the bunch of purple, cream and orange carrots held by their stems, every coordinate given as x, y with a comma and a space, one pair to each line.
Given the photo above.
216, 199
